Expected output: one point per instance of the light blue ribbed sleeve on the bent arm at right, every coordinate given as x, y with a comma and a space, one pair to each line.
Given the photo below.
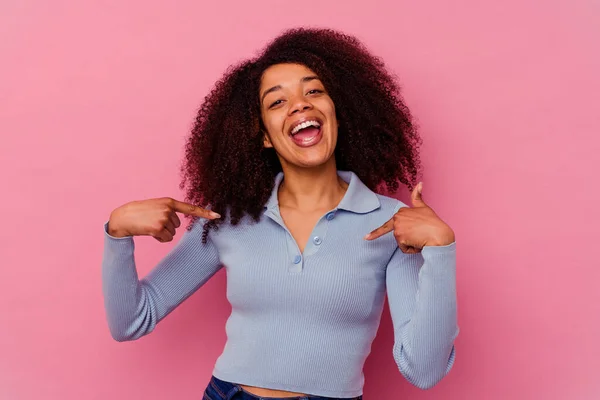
421, 291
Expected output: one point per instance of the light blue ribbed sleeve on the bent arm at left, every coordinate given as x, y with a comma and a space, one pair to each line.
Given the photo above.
134, 307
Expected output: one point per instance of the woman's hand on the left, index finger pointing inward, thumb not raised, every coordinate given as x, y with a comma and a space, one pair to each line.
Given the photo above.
152, 217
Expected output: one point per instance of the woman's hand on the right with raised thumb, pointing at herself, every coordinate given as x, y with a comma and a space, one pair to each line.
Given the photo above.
416, 227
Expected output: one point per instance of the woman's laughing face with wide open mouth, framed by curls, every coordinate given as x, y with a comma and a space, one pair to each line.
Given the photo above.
298, 114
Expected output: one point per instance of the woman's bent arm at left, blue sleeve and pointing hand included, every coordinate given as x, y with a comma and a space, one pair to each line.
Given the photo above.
133, 306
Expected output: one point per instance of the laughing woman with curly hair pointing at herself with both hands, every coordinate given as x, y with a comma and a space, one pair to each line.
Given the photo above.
281, 173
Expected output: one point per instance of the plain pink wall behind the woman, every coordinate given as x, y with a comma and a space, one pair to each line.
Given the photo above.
96, 98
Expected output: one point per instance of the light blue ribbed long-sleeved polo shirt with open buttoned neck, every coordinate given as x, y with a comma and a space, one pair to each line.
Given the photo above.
301, 322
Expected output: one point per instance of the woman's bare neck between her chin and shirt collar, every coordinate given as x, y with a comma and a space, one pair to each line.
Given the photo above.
311, 189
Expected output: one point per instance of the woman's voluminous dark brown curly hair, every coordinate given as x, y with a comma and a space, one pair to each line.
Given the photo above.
227, 169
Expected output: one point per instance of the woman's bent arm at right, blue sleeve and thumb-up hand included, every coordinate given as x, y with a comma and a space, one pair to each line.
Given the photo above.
421, 290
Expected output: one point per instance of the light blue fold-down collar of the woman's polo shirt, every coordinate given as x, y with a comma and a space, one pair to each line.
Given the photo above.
358, 197
